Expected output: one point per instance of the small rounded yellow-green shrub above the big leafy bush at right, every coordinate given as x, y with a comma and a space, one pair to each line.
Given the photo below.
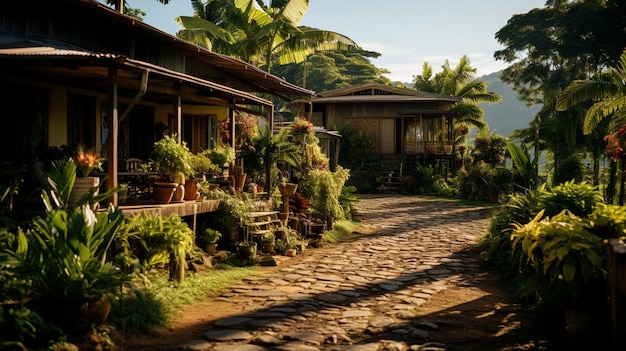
578, 198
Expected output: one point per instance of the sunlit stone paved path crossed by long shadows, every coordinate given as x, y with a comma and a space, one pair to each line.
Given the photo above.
359, 295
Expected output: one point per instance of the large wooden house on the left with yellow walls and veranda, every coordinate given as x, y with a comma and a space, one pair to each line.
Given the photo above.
78, 72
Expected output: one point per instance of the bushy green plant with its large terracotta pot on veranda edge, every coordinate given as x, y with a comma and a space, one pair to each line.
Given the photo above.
170, 158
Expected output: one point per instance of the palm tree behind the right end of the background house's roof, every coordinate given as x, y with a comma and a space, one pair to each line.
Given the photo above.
461, 82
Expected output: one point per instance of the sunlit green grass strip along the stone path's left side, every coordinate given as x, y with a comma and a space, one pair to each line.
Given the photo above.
156, 301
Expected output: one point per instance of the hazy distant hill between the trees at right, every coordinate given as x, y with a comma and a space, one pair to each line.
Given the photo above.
510, 113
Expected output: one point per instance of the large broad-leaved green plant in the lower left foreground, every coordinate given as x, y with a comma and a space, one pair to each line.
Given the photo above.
64, 254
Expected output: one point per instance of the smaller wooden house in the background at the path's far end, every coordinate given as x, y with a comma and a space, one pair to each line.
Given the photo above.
403, 123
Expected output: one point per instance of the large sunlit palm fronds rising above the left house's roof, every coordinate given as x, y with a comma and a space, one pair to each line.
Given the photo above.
258, 33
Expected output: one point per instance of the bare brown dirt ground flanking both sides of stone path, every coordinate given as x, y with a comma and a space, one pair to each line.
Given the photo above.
480, 316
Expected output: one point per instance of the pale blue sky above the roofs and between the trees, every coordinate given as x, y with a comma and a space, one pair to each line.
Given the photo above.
406, 33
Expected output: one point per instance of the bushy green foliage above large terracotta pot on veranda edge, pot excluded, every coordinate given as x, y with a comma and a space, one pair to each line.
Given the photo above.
171, 157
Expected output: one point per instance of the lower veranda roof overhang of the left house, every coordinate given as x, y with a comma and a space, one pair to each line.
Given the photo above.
51, 62
